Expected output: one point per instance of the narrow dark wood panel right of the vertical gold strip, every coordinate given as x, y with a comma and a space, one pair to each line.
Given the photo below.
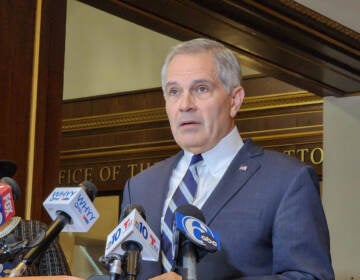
49, 111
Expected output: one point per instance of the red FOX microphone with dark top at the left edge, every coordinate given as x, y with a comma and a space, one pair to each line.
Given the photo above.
9, 191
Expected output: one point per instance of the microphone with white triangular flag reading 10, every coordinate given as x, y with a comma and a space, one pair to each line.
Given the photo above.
132, 236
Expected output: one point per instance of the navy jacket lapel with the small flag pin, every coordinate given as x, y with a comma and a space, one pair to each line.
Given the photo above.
241, 169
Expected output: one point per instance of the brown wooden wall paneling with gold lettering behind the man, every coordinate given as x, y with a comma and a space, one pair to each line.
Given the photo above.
110, 138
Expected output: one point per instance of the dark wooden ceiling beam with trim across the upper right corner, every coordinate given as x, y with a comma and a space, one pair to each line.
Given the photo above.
282, 38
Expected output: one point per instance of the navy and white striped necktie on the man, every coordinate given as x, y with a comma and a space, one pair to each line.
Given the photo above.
184, 194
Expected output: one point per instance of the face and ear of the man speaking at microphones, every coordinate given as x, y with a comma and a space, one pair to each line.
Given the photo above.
199, 109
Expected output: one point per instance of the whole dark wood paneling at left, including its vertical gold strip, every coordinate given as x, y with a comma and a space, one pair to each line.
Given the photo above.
31, 75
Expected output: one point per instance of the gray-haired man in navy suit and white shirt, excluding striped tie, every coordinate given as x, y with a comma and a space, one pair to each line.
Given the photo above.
264, 205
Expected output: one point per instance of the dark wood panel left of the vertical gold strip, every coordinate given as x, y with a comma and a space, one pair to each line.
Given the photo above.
16, 56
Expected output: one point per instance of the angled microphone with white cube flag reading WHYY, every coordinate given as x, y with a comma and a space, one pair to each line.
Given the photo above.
72, 210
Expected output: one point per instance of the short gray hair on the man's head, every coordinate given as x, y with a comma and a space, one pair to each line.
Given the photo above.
227, 66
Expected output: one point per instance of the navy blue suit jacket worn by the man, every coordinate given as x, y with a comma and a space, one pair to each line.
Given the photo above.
266, 210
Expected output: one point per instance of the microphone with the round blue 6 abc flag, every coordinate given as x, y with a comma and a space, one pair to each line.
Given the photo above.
192, 239
